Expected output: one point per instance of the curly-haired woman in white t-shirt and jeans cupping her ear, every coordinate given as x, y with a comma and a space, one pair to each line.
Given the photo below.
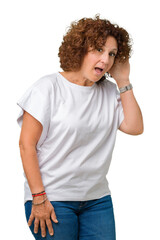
70, 120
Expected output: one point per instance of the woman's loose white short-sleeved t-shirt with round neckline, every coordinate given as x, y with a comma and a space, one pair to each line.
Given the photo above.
78, 137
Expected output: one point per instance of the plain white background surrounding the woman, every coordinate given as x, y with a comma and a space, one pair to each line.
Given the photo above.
31, 33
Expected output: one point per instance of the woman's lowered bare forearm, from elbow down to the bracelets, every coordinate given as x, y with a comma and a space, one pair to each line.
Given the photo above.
31, 167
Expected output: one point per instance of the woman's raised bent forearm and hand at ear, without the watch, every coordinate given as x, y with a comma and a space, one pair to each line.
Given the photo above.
133, 120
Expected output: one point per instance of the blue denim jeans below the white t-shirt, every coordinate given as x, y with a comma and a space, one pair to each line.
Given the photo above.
80, 220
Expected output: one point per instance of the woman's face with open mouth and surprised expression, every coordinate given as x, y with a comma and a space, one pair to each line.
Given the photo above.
98, 61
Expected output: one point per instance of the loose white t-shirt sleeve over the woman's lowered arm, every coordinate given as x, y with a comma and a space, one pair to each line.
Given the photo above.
36, 101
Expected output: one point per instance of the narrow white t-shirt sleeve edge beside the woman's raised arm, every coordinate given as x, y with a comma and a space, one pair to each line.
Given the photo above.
119, 108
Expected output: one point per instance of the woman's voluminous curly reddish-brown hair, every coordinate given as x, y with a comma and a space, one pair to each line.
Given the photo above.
88, 32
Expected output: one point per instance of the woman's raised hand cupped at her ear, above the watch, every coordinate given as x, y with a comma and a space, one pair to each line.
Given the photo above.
120, 72
